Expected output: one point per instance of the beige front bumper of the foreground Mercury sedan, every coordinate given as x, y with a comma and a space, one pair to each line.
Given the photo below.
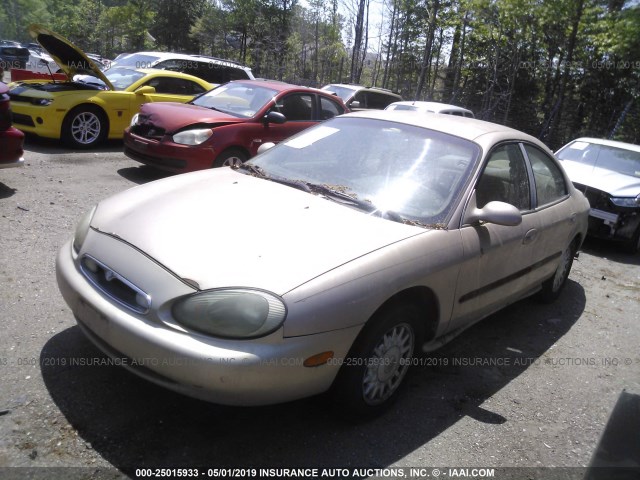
232, 372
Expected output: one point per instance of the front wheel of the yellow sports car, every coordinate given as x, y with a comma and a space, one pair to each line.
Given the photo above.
85, 126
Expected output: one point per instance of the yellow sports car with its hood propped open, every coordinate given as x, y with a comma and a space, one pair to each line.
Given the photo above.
93, 105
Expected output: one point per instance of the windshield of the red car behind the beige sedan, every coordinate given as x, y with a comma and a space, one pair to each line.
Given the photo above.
237, 99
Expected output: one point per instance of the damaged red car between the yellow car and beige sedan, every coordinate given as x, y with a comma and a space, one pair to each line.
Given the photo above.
226, 125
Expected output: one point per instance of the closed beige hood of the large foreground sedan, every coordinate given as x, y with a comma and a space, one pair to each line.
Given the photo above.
221, 228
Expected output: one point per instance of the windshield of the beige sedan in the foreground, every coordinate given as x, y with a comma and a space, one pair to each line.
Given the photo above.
399, 171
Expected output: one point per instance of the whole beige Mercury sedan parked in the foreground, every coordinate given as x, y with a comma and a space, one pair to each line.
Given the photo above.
327, 263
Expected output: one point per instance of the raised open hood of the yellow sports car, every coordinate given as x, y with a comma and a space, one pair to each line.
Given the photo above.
70, 58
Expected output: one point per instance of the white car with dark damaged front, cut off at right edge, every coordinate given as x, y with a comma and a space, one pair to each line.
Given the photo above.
608, 172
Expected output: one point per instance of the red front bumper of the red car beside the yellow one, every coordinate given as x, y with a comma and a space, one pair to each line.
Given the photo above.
168, 156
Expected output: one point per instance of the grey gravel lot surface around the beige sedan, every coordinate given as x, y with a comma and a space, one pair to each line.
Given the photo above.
532, 386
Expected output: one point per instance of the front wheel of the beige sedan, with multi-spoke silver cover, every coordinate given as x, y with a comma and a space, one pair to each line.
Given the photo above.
372, 376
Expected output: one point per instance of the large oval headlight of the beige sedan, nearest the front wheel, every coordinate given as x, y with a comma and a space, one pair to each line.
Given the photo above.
231, 313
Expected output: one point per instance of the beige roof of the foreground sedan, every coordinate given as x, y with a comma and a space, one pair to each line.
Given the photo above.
486, 134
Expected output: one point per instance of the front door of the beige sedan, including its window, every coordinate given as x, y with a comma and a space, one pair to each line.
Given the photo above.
497, 258
